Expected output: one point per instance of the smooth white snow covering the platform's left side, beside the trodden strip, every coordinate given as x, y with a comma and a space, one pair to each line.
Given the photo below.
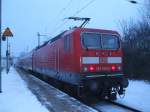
16, 97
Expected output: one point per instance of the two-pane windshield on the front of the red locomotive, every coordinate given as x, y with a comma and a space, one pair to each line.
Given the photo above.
100, 41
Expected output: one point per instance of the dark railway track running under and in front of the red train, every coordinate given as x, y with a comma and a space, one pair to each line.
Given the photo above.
92, 100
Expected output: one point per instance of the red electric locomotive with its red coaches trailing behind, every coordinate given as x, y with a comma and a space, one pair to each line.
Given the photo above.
83, 57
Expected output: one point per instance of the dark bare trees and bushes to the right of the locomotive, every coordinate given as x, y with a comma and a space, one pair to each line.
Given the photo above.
136, 44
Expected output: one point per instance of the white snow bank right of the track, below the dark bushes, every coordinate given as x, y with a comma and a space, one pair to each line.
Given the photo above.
137, 95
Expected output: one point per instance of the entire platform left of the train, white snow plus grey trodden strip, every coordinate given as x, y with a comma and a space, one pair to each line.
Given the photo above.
40, 97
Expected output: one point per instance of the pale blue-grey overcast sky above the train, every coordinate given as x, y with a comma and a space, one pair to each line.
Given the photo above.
27, 17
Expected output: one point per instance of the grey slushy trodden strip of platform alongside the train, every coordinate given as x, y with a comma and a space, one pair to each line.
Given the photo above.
54, 99
